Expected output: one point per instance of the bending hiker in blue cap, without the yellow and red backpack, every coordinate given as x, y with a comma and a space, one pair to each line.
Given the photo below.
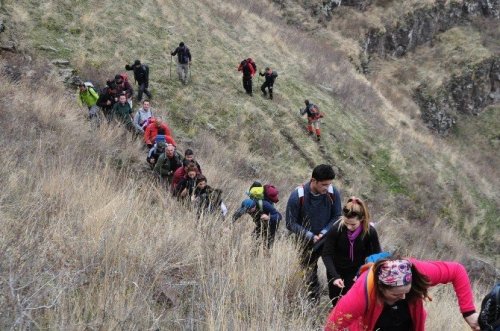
265, 217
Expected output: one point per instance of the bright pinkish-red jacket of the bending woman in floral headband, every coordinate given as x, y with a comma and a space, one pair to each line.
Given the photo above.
359, 309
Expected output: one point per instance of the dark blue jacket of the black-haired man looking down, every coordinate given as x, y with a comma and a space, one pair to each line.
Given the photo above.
316, 215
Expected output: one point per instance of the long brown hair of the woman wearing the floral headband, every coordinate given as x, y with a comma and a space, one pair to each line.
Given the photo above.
420, 283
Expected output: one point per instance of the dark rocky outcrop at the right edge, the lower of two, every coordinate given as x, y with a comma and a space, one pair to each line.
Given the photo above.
476, 88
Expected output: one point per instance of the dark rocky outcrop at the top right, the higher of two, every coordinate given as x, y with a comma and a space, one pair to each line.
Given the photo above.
423, 24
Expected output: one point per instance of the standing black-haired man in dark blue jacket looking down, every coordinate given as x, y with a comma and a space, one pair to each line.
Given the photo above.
311, 213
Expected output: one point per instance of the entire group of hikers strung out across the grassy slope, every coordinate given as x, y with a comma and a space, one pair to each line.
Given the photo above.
368, 289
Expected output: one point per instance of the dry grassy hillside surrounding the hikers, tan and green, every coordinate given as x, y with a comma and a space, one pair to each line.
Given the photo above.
89, 241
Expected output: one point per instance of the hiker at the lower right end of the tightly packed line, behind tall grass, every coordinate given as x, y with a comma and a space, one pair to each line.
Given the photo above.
207, 199
